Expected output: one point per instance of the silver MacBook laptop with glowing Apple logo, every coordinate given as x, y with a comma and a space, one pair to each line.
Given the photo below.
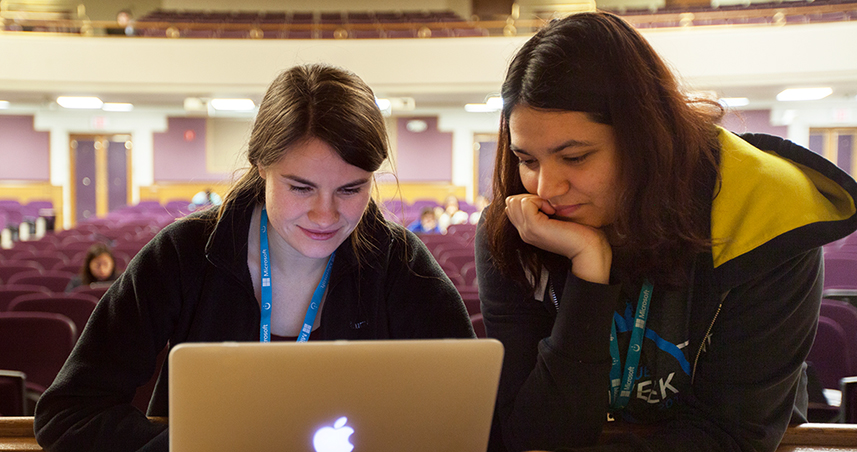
341, 396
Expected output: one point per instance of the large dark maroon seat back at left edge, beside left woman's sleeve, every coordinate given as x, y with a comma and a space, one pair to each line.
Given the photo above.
36, 343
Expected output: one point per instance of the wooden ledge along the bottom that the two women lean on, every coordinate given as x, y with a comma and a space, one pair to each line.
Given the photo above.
16, 434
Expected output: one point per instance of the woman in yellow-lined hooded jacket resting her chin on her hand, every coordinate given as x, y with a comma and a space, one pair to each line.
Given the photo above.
641, 264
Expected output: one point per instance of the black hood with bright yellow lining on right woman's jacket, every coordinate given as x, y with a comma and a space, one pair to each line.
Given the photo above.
774, 201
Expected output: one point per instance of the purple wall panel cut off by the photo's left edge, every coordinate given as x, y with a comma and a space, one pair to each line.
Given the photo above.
28, 151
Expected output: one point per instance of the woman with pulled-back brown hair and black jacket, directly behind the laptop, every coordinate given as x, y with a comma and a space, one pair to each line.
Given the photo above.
297, 251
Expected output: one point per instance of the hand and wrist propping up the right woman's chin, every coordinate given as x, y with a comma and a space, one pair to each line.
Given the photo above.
587, 247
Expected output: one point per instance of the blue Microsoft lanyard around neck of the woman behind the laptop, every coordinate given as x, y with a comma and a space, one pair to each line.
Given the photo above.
267, 297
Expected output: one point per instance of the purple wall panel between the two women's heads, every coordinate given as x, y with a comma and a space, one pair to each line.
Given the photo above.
423, 156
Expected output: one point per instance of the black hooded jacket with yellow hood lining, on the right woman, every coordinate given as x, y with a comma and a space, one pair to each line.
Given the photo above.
732, 343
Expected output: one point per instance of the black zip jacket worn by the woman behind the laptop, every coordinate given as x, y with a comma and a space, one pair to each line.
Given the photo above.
191, 284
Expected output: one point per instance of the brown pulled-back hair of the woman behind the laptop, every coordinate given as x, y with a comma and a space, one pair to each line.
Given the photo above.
315, 101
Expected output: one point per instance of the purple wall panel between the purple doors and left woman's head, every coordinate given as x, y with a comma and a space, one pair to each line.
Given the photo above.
179, 153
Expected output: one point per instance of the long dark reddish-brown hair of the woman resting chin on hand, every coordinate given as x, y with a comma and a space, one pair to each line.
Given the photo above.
599, 64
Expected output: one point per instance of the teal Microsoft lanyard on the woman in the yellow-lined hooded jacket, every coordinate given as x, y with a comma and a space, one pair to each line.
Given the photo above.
621, 385
